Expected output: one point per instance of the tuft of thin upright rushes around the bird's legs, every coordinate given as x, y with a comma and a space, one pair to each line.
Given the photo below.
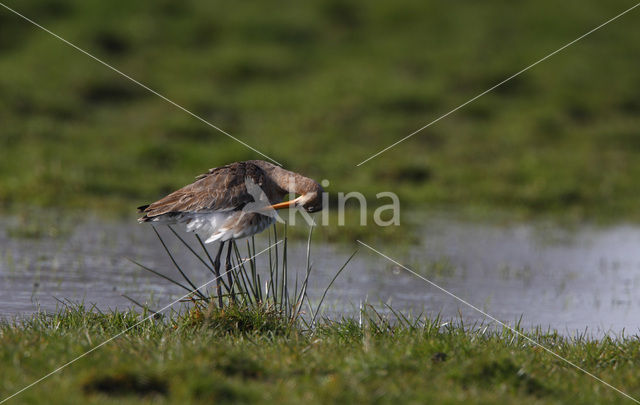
249, 296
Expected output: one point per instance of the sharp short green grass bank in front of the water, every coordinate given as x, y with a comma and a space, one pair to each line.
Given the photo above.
240, 357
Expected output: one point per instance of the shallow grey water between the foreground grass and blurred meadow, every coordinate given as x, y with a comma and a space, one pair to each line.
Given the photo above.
585, 278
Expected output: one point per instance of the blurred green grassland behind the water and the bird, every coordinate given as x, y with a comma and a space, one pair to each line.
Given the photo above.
320, 86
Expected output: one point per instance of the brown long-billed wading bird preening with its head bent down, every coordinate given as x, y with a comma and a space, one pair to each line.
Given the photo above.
234, 201
